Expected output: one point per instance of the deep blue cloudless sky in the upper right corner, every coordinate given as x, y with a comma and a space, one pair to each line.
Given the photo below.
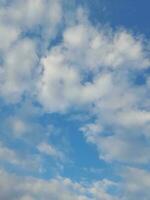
133, 15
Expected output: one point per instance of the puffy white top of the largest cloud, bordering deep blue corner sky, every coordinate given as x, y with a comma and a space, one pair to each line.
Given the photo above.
97, 48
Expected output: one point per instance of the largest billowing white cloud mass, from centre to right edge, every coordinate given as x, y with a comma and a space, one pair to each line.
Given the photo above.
96, 67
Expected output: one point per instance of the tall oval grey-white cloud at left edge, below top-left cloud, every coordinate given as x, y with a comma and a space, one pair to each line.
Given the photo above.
18, 68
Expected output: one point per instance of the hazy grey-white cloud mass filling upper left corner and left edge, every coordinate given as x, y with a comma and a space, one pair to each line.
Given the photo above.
18, 52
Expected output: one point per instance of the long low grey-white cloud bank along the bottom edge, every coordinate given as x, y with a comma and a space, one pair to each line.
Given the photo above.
27, 188
